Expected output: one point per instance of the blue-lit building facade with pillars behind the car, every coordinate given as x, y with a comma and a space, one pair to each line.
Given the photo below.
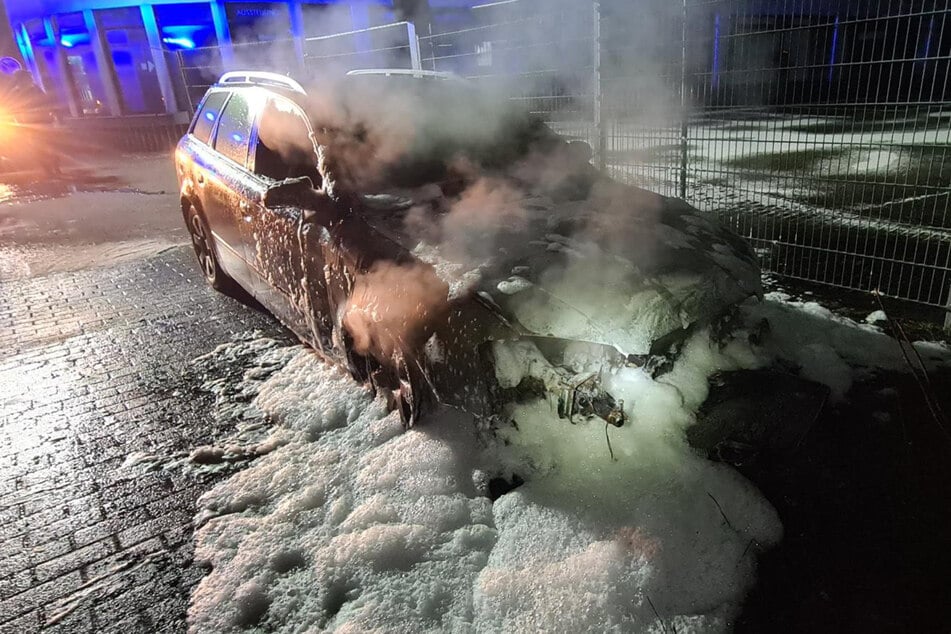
121, 57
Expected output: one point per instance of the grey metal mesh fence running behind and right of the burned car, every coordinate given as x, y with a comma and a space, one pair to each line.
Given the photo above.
819, 130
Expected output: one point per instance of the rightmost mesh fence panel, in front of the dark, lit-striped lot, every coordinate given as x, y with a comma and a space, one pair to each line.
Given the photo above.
822, 133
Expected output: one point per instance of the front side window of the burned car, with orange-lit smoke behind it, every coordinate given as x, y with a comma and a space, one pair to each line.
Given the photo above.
284, 148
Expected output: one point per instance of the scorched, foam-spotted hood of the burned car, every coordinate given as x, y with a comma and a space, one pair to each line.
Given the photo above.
620, 266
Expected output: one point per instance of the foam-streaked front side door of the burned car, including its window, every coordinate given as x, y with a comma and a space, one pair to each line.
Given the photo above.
284, 242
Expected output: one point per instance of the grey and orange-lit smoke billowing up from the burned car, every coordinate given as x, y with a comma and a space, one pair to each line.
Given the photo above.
499, 176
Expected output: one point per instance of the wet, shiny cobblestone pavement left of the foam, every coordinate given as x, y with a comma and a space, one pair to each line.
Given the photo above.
92, 369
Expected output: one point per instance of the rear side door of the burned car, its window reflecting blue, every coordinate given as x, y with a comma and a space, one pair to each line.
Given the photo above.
229, 187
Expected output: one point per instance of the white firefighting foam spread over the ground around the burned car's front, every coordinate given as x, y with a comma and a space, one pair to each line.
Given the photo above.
352, 524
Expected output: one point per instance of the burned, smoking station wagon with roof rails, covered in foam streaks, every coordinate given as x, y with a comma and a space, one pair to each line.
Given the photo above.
443, 246
